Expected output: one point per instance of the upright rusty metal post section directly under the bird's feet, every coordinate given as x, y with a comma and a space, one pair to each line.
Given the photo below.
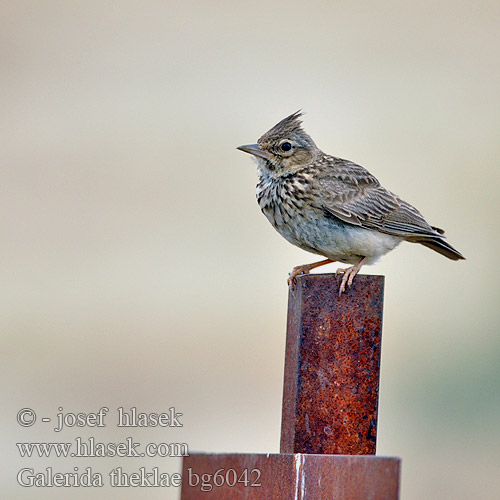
332, 363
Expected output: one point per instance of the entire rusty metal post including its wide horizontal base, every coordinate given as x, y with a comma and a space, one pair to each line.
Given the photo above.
330, 399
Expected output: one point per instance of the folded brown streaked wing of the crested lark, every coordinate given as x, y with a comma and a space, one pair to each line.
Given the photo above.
352, 194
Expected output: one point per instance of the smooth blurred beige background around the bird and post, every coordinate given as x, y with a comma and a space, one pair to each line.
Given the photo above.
137, 269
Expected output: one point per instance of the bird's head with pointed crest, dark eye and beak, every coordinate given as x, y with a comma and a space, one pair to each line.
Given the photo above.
284, 148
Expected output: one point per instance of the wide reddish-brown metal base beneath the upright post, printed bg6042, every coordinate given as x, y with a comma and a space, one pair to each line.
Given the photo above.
288, 476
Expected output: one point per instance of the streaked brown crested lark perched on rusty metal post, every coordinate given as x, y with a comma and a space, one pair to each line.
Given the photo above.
332, 207
